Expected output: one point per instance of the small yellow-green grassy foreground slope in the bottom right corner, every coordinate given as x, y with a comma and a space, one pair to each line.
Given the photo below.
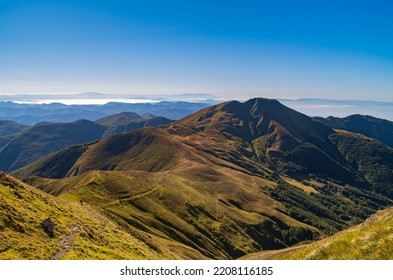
371, 240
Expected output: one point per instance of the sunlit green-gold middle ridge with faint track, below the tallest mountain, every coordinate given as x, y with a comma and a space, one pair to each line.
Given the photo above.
220, 213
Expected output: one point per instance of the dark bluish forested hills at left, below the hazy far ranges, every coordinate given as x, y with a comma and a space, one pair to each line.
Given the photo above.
21, 144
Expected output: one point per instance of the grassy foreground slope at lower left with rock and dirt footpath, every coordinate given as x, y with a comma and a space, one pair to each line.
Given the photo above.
81, 231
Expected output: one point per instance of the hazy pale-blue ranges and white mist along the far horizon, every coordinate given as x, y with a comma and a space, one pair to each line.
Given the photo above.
30, 109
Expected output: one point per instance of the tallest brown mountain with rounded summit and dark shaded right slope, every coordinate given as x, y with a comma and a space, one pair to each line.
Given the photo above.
267, 133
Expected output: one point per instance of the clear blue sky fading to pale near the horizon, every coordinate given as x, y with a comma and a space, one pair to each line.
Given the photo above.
237, 49
